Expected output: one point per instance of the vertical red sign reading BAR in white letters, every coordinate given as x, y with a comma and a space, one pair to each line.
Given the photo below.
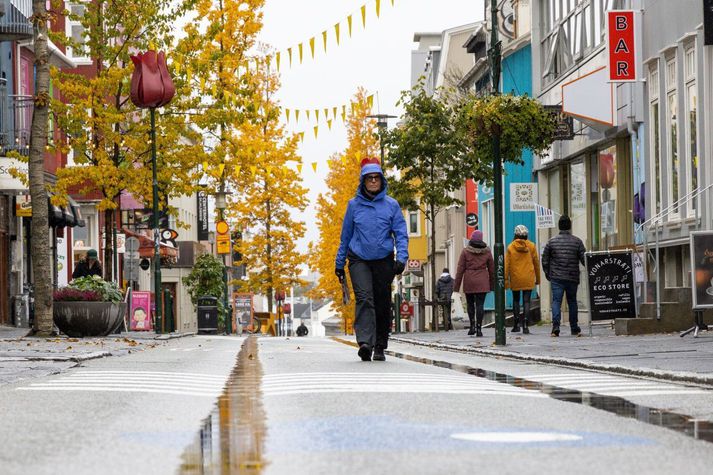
621, 39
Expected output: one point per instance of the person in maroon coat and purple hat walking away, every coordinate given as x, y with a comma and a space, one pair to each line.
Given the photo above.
476, 271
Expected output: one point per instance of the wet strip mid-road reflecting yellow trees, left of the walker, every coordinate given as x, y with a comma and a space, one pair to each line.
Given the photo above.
231, 439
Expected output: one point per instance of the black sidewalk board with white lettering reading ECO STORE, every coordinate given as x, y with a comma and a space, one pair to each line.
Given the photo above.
610, 278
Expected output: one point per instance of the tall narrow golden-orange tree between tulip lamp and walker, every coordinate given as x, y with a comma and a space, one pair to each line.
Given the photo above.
269, 194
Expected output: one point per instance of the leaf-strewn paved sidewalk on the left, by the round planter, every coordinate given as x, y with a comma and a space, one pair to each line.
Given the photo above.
24, 357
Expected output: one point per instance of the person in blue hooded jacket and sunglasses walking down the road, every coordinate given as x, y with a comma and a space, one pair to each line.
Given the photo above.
373, 225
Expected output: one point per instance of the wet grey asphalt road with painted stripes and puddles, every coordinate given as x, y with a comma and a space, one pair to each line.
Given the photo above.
293, 406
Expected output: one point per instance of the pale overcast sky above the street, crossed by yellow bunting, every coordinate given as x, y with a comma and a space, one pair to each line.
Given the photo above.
376, 57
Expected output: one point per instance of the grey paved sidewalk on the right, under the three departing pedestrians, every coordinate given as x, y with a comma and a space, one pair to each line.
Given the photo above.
664, 356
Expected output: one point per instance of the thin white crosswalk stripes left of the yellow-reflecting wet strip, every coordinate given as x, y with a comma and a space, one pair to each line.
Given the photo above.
157, 382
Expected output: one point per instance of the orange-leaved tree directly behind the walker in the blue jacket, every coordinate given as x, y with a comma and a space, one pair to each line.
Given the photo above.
342, 182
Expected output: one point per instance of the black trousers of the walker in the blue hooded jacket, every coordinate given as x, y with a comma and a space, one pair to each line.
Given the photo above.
371, 281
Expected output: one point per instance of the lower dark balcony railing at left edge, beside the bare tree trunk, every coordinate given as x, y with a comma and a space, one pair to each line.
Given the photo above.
15, 121
